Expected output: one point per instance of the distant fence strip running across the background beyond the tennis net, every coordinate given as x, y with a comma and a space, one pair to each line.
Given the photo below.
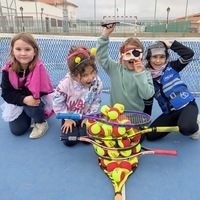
91, 27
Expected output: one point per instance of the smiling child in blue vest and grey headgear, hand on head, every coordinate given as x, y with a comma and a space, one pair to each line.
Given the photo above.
175, 100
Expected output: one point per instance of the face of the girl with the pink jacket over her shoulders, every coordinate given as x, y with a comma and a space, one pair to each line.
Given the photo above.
23, 52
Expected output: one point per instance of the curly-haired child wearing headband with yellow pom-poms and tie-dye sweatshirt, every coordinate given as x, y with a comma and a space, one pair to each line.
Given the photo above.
78, 92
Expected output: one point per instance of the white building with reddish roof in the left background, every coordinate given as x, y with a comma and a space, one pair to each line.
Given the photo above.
37, 15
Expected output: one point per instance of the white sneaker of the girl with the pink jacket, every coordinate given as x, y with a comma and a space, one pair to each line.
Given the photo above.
39, 130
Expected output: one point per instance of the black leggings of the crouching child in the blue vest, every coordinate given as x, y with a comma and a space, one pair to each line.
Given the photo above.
185, 119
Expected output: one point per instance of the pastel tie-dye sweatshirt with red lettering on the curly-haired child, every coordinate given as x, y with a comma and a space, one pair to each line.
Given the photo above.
71, 96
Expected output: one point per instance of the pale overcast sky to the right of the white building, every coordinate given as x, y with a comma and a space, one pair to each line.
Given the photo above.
143, 9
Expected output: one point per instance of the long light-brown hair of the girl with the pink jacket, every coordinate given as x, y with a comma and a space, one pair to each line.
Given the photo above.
28, 38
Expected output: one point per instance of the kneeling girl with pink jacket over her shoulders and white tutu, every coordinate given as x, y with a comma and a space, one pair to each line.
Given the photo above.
25, 88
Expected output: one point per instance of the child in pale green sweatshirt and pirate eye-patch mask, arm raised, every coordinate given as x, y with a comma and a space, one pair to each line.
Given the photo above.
130, 81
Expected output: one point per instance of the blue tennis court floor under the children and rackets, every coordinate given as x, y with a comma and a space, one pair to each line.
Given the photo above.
45, 169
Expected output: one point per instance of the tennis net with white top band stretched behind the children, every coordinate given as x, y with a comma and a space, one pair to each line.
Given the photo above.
54, 50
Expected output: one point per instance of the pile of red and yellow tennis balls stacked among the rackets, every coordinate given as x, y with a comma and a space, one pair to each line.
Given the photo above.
115, 114
